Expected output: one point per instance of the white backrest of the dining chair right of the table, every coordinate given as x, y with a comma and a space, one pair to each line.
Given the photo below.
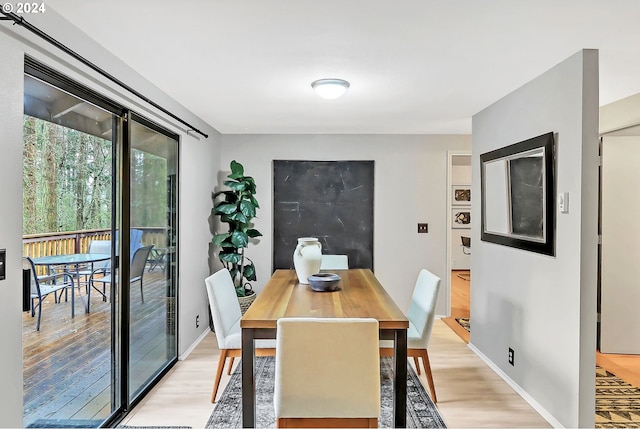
423, 303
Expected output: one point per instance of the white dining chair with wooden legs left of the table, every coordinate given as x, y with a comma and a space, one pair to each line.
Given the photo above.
226, 314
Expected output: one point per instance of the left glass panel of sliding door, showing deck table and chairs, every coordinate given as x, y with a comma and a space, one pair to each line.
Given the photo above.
67, 216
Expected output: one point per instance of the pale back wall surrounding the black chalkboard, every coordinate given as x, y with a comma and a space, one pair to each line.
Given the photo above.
410, 187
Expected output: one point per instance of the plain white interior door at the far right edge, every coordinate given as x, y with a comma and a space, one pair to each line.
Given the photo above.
620, 263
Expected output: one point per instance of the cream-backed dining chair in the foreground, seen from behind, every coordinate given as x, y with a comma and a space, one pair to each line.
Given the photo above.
327, 372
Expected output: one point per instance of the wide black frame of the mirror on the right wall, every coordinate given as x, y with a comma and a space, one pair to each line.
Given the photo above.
546, 245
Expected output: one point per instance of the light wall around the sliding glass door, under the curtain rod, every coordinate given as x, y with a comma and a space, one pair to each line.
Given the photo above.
199, 165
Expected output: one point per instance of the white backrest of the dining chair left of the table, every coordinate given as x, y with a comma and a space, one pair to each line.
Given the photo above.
225, 308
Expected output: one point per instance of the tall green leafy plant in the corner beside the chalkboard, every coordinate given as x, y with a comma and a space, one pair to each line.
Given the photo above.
237, 207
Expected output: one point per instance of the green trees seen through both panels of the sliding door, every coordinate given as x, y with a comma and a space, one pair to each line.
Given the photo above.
67, 181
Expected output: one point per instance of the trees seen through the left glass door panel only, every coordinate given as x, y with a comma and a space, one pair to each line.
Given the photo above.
66, 179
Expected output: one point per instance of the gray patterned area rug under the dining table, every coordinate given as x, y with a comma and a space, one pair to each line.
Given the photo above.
421, 411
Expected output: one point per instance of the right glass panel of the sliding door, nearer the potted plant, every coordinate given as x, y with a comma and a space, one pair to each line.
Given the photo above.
153, 232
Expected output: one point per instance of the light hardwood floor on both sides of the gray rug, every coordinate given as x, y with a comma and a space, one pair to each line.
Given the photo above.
470, 394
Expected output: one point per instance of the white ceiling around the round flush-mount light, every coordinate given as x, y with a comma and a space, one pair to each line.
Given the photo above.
415, 67
